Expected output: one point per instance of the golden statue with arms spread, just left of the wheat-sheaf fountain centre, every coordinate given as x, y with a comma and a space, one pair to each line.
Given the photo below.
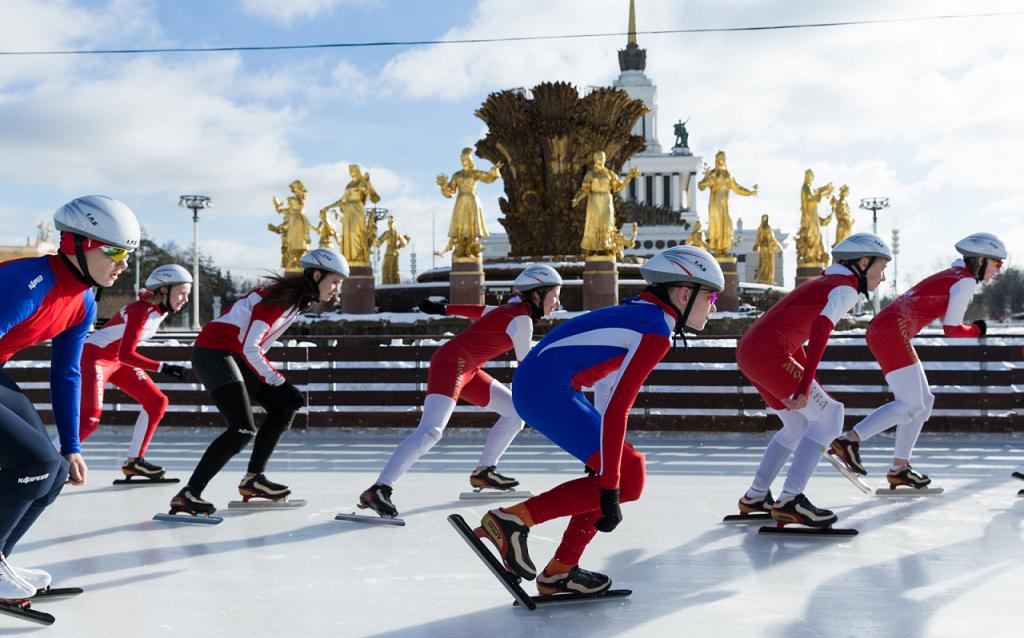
467, 217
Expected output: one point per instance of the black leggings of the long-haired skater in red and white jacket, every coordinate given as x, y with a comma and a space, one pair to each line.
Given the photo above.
234, 387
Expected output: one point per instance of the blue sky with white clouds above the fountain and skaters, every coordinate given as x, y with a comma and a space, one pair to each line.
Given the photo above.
925, 113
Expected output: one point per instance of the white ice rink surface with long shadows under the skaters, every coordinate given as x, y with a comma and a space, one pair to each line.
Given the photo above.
942, 566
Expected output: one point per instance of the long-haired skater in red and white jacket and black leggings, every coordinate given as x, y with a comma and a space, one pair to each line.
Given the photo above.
230, 360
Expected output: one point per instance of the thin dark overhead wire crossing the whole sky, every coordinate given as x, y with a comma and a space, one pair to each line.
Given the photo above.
385, 44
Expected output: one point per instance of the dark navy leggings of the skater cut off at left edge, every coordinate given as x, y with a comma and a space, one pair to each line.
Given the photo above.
32, 474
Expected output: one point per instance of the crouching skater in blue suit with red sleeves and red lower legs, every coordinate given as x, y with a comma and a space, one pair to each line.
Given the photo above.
621, 345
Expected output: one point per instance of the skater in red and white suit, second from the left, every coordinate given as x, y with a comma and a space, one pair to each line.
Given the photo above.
110, 356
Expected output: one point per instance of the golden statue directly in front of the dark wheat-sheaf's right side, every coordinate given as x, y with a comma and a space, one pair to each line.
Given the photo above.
599, 185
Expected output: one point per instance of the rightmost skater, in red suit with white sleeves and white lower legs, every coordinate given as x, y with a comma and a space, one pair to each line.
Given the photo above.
945, 295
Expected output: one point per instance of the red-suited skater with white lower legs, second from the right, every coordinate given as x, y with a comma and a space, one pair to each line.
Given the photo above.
773, 357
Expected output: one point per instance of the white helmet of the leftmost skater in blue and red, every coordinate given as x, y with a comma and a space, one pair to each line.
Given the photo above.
101, 219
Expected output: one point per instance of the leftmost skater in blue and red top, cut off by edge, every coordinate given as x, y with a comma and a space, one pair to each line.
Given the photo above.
51, 299
